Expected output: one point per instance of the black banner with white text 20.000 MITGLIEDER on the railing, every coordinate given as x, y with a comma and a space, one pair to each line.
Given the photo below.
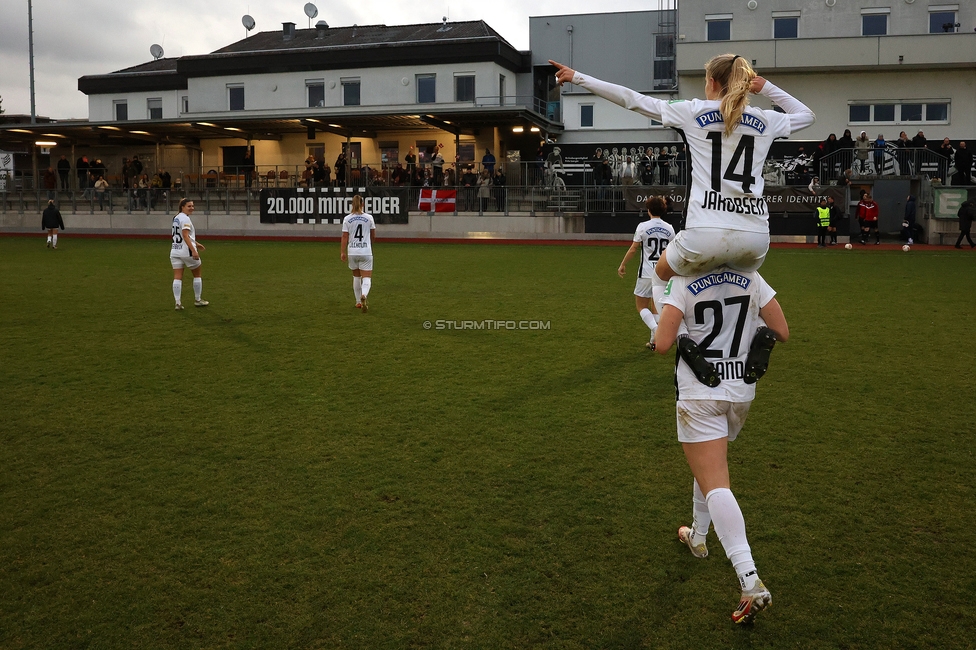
329, 205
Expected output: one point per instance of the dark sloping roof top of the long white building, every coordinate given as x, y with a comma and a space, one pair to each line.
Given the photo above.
365, 36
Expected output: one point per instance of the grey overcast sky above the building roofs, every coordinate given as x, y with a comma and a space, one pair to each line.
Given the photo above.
73, 38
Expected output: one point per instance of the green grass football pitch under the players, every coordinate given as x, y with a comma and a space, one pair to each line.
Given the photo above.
280, 470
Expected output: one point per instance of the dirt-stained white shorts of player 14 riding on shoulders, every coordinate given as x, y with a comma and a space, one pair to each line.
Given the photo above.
698, 250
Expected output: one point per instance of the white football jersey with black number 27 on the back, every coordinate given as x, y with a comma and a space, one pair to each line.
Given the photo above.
721, 311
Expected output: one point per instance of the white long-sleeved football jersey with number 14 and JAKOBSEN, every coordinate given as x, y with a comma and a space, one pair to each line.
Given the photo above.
726, 179
